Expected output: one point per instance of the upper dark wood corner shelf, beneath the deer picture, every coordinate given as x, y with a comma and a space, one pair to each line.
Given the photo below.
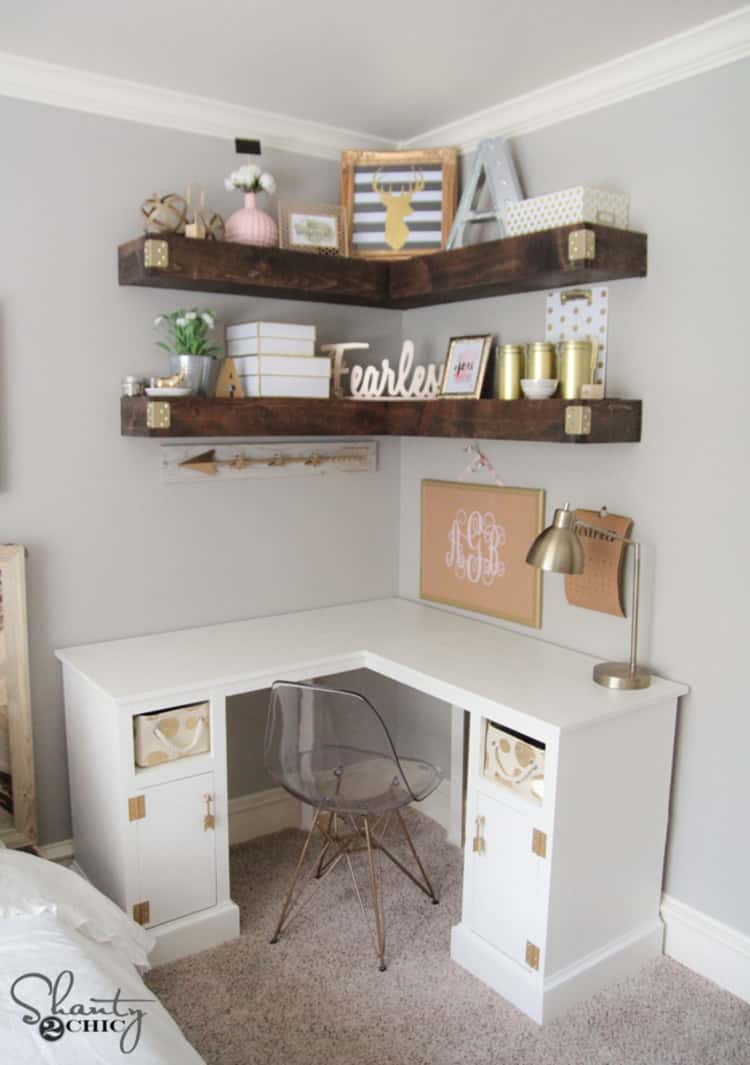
552, 259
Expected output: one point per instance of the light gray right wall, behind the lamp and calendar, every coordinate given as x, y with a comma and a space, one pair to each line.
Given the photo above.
678, 340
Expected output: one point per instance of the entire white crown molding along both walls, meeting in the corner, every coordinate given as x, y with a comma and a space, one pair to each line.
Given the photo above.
704, 48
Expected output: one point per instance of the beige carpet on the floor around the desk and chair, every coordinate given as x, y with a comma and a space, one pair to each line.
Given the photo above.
317, 997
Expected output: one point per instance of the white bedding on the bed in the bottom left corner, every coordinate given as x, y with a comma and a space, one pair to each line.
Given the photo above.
57, 980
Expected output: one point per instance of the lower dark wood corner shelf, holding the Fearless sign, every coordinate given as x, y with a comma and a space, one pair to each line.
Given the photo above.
612, 421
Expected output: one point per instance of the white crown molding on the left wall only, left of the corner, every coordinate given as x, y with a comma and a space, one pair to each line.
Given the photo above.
118, 99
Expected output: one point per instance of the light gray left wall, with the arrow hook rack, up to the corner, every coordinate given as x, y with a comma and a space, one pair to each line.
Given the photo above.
113, 552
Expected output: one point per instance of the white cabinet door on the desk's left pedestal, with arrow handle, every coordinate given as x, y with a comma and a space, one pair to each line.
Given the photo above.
177, 857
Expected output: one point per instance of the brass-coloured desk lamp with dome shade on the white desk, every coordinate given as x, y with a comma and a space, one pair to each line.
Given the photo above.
558, 550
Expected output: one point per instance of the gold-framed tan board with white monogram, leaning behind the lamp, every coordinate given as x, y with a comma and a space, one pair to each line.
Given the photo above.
475, 544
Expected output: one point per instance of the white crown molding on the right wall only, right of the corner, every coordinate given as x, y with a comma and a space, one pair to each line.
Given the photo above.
708, 46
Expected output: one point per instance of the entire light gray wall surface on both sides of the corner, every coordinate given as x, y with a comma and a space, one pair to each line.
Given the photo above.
116, 553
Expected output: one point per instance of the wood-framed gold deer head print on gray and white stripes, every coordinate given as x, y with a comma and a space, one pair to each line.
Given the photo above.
399, 204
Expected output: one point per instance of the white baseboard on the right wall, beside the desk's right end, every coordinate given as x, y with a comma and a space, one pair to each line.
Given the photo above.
710, 948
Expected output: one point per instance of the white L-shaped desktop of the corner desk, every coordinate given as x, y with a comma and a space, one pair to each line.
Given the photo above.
453, 658
